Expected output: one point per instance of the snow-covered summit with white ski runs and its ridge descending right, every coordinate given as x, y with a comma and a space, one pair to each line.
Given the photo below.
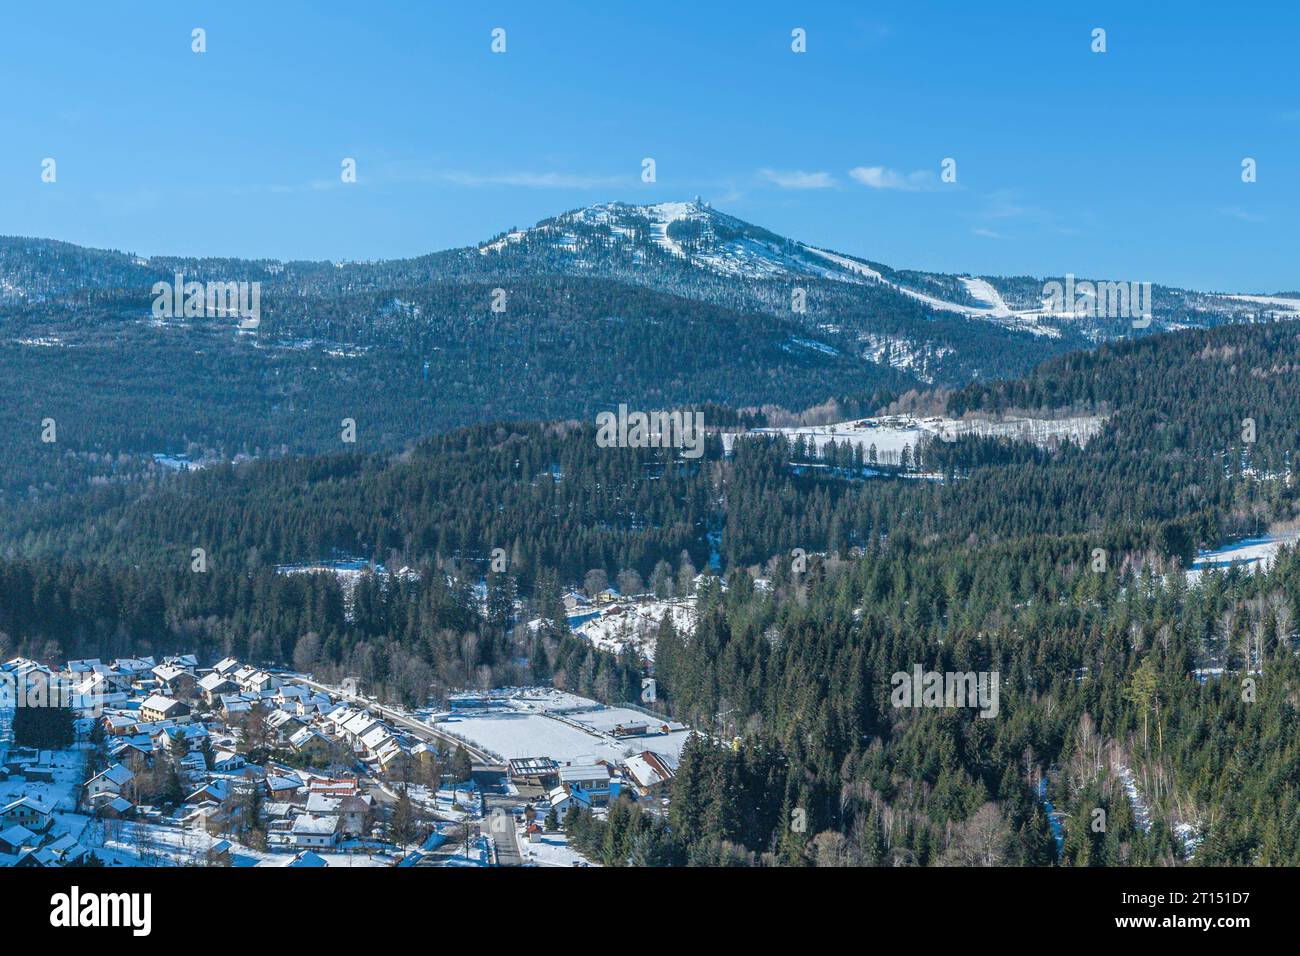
664, 244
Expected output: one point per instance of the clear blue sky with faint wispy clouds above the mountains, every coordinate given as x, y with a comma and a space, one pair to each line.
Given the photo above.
1123, 165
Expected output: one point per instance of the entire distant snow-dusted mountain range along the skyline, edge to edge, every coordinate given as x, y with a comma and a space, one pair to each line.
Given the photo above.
933, 328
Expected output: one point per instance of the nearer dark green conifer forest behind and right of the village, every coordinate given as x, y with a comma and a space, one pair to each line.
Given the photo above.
1060, 568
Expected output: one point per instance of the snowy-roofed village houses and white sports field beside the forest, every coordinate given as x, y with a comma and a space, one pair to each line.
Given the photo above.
170, 763
